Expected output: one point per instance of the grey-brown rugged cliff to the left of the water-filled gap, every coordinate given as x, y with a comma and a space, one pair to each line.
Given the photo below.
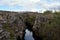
13, 24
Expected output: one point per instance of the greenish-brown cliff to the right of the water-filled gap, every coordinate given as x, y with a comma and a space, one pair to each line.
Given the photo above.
46, 27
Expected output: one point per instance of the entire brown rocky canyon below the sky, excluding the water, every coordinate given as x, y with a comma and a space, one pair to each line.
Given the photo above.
44, 26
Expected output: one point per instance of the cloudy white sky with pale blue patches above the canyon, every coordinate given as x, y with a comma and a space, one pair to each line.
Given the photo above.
29, 5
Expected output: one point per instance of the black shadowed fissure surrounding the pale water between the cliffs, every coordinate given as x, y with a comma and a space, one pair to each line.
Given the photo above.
29, 27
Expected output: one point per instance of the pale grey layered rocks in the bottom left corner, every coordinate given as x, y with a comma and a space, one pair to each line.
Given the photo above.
4, 35
